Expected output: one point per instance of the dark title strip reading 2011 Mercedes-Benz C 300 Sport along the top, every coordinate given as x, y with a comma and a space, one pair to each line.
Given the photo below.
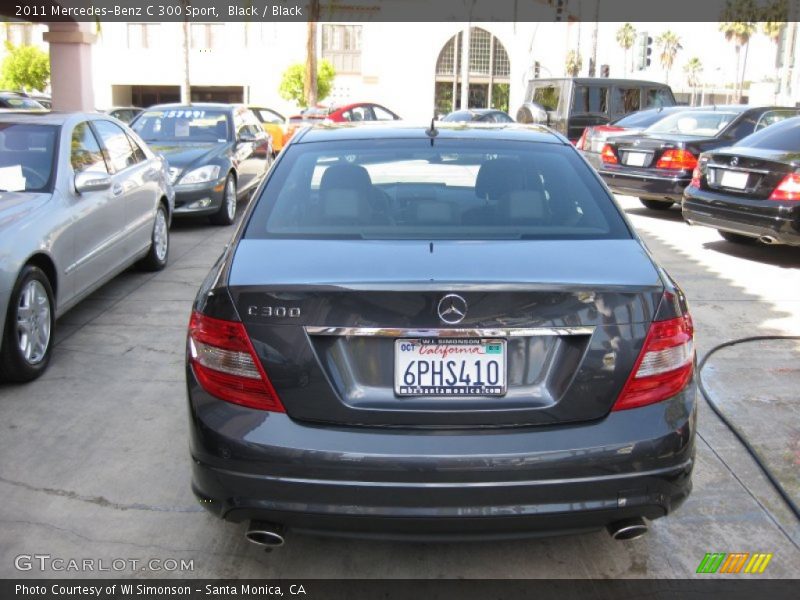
209, 11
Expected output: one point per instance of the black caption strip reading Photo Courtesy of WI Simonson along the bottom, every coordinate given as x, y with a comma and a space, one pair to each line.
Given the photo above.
326, 589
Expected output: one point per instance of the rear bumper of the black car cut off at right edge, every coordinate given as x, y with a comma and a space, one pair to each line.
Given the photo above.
755, 218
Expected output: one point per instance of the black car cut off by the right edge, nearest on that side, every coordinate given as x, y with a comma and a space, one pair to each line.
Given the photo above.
750, 191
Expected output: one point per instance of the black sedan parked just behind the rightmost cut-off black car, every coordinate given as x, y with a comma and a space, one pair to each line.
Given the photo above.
656, 165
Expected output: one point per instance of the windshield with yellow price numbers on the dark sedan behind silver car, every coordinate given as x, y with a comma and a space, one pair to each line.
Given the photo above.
182, 124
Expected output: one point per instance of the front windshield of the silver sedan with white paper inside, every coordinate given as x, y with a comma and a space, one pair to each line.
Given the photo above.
26, 157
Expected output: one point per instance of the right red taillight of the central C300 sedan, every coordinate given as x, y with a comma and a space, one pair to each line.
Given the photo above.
664, 366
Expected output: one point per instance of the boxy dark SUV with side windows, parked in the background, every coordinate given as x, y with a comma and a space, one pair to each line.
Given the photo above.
570, 105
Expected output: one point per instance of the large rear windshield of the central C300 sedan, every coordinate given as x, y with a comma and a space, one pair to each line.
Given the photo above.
448, 189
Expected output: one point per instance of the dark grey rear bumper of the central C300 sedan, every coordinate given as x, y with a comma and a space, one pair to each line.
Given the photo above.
421, 484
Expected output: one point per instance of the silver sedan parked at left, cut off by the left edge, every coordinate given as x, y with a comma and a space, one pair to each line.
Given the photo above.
81, 199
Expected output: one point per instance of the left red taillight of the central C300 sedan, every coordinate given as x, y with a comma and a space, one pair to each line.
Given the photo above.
225, 364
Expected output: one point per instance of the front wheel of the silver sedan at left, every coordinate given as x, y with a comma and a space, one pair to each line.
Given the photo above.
27, 338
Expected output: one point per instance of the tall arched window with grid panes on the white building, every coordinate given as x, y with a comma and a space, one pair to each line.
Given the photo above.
489, 72
